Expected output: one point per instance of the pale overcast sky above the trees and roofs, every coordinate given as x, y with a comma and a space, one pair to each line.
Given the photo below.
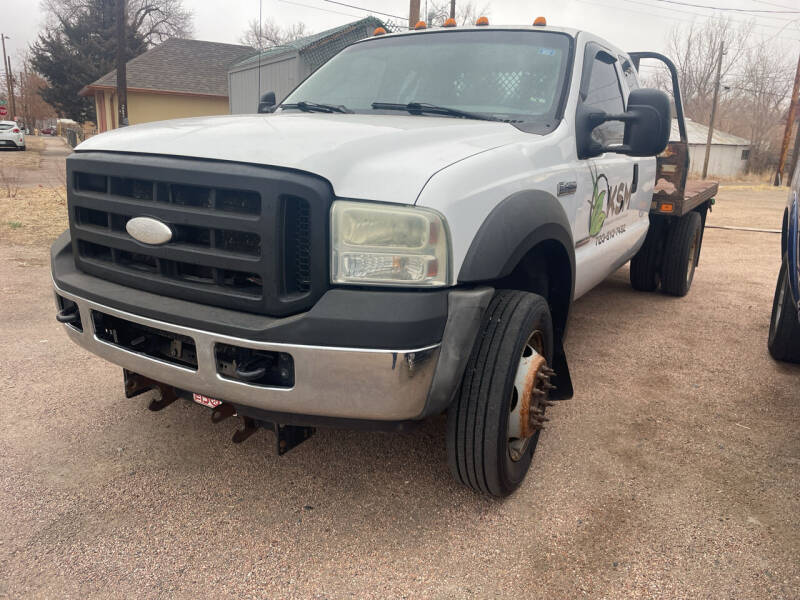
630, 24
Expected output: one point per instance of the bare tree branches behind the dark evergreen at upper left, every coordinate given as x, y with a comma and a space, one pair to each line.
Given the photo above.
154, 20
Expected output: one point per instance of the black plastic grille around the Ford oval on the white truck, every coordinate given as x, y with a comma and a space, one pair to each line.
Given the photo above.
243, 237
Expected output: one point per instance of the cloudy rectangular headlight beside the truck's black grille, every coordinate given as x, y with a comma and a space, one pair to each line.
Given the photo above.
375, 244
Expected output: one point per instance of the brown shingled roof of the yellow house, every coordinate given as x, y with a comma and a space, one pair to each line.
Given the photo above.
179, 66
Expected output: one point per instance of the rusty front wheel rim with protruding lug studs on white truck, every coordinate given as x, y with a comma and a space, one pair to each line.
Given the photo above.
528, 396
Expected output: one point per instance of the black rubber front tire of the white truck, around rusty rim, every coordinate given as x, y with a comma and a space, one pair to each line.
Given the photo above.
479, 449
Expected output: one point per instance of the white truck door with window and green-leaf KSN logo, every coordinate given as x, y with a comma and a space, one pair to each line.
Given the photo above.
612, 219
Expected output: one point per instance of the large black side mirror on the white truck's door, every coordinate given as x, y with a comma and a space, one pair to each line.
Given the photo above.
647, 126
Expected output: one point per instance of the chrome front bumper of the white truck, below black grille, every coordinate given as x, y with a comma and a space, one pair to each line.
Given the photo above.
348, 383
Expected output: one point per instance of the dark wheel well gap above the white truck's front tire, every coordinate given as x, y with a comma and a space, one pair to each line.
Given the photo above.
545, 270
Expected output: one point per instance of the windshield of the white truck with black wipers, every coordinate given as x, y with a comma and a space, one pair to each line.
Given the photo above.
509, 75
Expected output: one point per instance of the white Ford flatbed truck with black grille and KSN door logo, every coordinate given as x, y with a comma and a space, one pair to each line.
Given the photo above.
402, 236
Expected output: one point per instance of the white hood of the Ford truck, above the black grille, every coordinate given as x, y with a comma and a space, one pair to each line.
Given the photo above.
375, 157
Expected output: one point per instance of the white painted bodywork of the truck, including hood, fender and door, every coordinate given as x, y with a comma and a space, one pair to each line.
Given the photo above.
462, 168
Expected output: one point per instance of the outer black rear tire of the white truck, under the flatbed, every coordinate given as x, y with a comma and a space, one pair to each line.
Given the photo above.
680, 254
